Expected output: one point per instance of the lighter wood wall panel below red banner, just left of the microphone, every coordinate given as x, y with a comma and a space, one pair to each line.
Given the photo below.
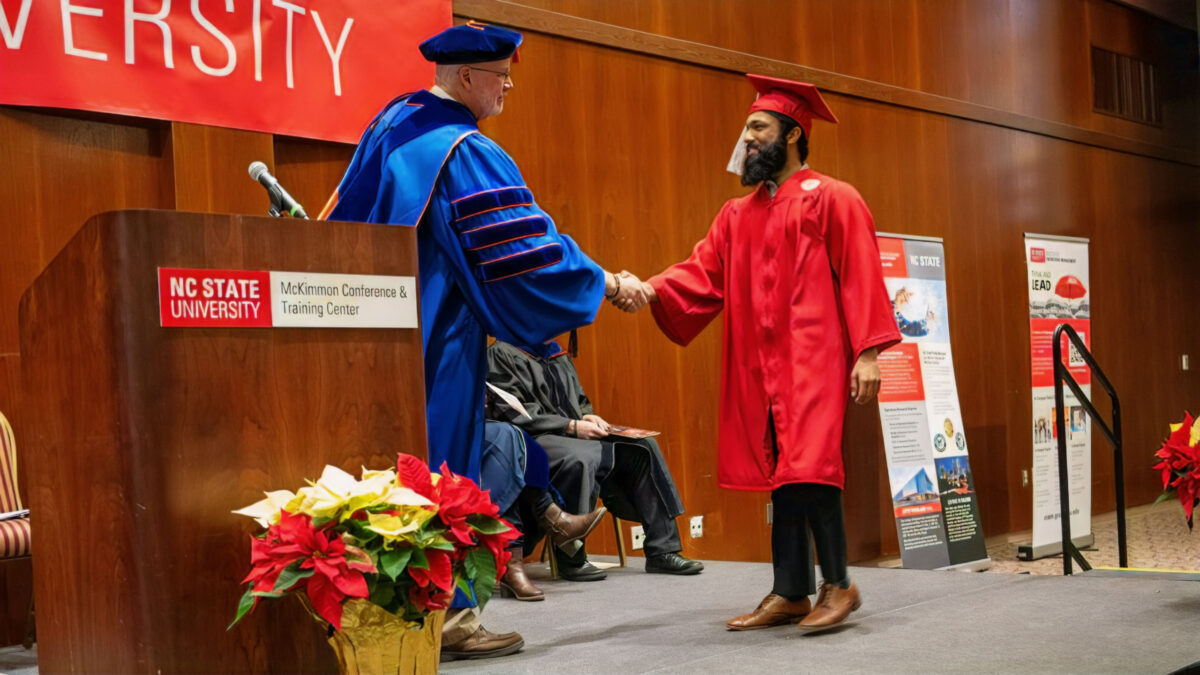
211, 169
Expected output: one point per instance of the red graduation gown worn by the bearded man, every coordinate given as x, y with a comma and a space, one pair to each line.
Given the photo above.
799, 277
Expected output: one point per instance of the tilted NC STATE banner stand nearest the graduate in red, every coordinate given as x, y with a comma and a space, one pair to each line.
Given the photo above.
933, 489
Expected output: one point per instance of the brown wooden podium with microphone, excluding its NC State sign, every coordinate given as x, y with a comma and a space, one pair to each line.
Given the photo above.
141, 440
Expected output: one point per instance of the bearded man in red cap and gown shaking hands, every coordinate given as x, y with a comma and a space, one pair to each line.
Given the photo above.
795, 268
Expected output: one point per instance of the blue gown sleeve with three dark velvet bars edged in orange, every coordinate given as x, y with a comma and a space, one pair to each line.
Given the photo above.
525, 280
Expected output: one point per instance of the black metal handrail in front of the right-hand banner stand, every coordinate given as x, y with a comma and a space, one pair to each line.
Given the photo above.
1063, 374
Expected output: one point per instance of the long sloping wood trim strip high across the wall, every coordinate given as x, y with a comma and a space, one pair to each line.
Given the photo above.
694, 53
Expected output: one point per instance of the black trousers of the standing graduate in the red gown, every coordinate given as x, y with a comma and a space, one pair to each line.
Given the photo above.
800, 511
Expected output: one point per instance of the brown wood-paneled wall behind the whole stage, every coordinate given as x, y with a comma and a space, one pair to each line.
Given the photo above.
959, 120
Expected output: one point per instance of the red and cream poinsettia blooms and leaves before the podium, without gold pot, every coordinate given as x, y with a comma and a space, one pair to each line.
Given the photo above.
400, 539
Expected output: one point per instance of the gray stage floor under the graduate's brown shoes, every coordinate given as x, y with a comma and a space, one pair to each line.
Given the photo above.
911, 622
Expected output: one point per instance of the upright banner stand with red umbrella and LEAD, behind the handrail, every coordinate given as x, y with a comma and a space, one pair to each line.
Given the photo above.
1060, 292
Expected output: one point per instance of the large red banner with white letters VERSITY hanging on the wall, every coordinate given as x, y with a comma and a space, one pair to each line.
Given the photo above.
316, 69
